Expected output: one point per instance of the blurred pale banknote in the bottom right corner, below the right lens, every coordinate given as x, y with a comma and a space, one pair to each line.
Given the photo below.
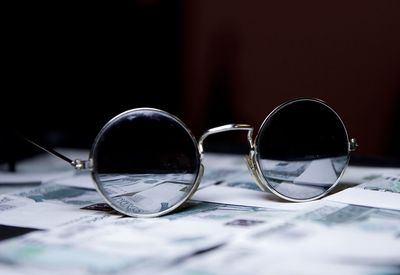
338, 235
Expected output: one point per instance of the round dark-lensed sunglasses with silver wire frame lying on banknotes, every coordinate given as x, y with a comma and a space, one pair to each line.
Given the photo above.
146, 163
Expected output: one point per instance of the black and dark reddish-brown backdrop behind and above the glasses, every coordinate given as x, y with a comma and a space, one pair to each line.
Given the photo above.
71, 66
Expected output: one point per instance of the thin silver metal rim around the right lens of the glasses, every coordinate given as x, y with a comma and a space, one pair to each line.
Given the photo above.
255, 153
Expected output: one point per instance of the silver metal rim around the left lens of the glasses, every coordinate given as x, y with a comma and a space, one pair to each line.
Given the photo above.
92, 160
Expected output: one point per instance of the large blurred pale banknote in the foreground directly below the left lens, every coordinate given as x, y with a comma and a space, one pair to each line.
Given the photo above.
135, 245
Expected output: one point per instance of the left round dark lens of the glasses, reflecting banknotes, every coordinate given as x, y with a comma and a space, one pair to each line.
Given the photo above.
145, 163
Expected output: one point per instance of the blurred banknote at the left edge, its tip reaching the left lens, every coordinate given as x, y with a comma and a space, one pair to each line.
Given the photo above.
50, 205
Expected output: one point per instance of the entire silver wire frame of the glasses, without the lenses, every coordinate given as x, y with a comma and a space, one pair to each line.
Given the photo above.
251, 159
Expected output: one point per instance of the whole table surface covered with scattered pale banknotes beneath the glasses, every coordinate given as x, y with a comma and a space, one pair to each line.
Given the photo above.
230, 226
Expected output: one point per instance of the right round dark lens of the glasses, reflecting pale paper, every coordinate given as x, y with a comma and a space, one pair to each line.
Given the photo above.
302, 149
